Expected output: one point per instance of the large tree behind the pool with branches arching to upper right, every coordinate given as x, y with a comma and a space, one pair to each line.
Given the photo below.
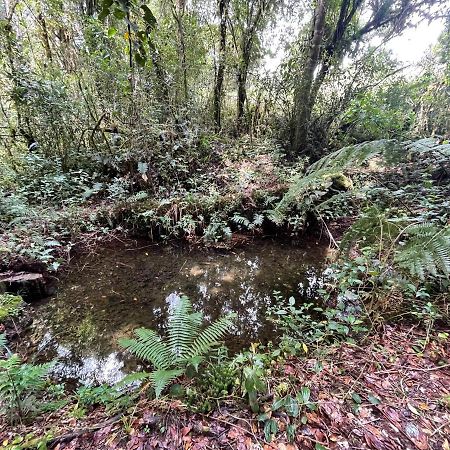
335, 30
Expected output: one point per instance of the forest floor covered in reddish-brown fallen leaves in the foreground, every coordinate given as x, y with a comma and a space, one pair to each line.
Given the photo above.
391, 392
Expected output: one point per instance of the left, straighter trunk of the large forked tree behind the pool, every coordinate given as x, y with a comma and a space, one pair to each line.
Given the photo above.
303, 101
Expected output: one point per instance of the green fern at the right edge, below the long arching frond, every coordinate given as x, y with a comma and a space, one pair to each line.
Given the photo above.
426, 250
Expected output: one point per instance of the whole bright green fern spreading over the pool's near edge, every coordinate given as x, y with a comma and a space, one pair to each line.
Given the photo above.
186, 344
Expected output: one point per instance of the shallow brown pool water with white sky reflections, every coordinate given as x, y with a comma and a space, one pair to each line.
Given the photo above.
107, 295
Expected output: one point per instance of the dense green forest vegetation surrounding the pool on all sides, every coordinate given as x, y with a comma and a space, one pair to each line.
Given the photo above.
171, 120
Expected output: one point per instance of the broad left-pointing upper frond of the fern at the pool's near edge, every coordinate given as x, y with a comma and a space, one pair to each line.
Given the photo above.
149, 347
